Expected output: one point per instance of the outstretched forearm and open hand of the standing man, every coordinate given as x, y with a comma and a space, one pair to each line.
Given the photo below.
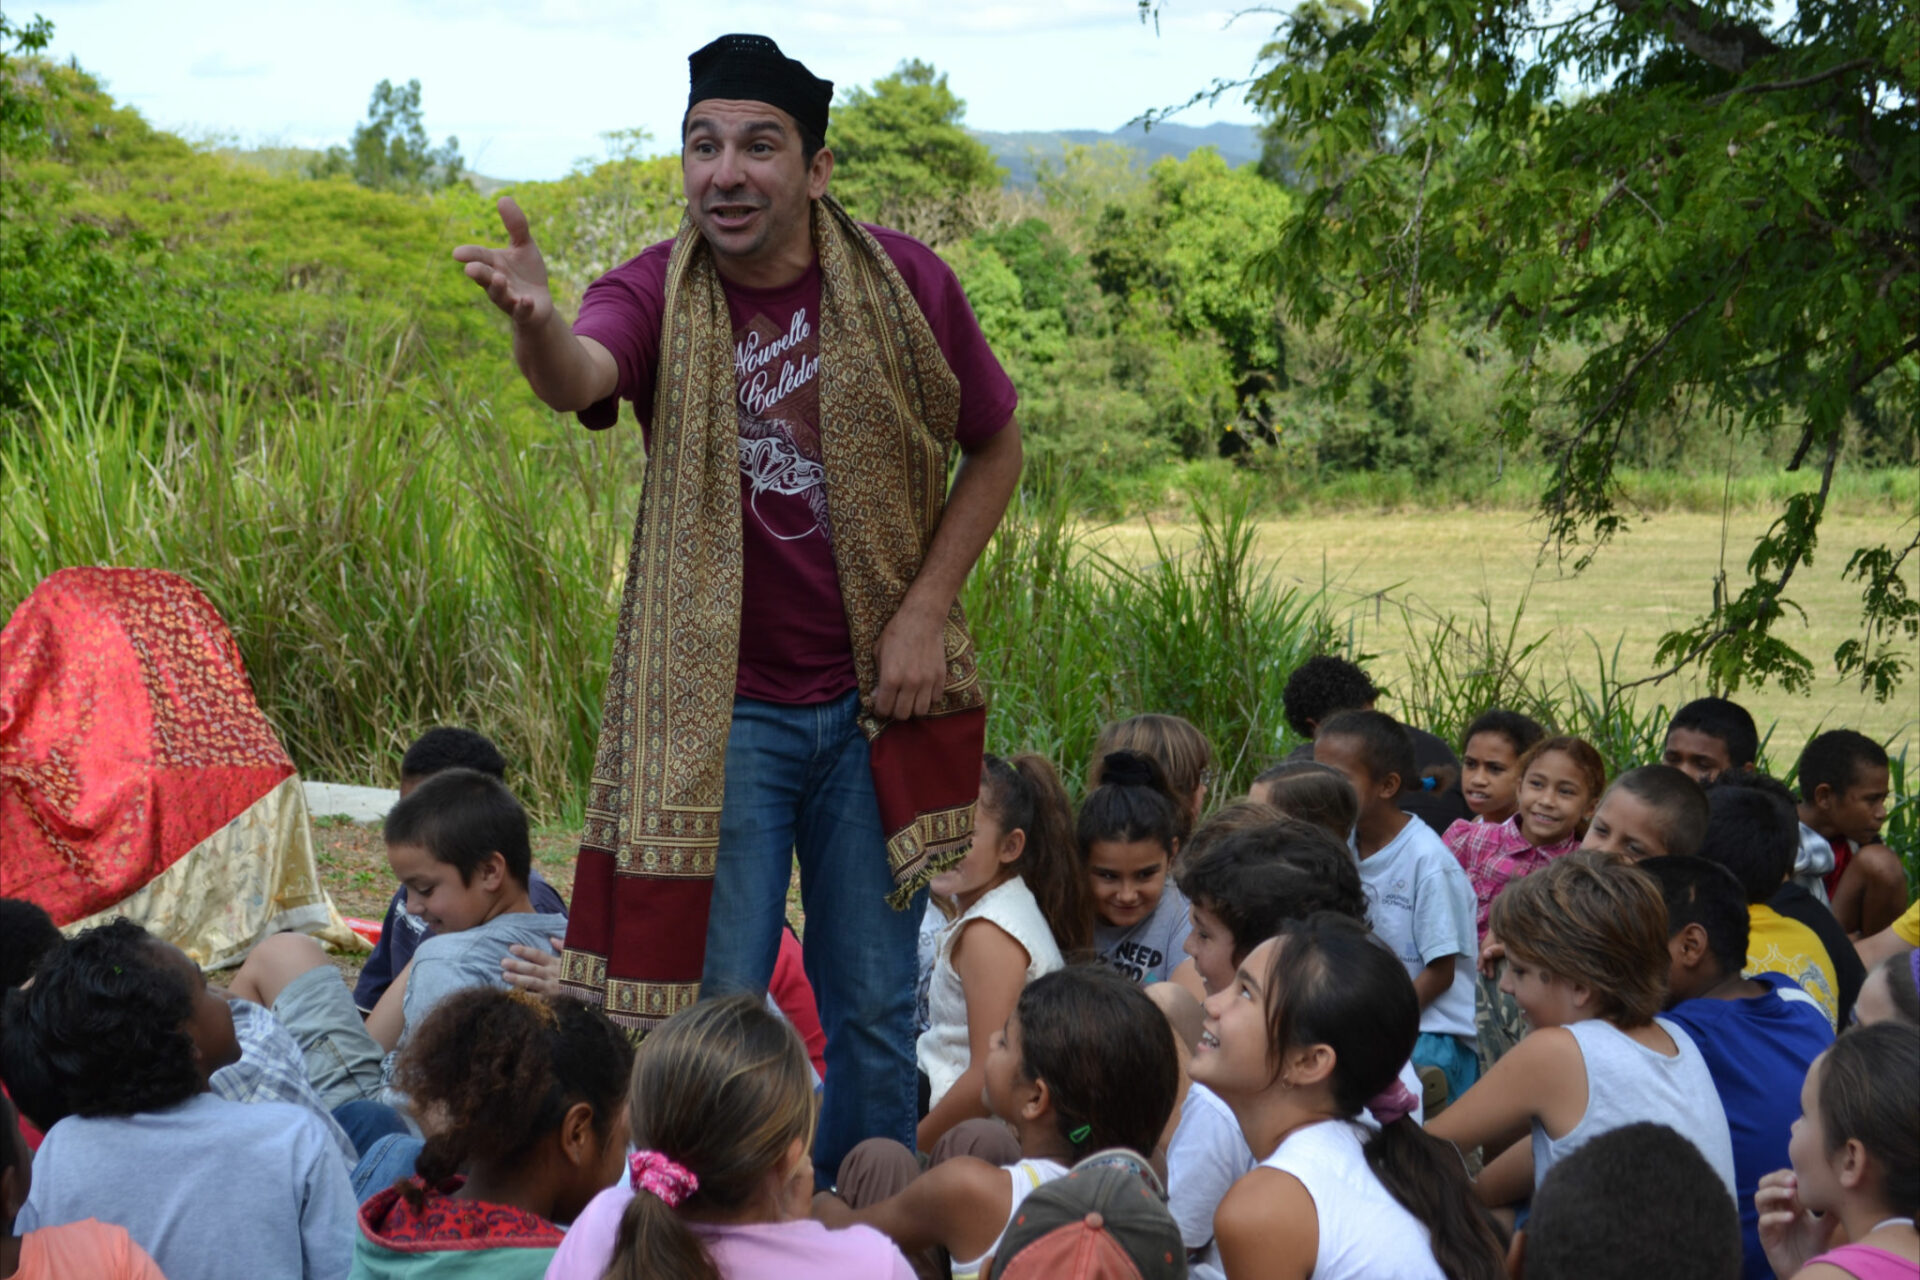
565, 371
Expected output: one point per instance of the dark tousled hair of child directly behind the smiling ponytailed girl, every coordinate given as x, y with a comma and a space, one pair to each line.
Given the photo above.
1255, 882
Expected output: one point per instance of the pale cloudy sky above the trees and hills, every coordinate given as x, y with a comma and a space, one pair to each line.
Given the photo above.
531, 85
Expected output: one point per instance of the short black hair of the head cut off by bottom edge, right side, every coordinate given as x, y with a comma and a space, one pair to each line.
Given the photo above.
1633, 1204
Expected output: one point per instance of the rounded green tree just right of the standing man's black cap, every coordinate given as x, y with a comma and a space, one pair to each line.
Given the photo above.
901, 145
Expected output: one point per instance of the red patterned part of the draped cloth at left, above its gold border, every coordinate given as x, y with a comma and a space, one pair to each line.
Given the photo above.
128, 736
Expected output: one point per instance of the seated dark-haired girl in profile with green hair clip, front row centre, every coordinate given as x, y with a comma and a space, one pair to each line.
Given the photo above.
1086, 1064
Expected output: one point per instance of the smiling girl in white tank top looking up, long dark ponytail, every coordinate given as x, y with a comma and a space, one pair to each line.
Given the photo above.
1307, 1041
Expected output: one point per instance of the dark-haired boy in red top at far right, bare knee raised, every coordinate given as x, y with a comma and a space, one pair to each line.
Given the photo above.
1844, 786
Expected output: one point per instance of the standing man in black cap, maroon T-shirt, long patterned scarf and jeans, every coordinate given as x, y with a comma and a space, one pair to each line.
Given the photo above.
792, 671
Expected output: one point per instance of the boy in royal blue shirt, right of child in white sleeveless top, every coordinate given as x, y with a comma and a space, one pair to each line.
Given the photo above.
1758, 1033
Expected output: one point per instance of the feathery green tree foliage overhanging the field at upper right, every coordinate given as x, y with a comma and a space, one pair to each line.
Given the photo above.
1723, 220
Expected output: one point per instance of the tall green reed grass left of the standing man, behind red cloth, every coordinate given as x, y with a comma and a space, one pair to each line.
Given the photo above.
385, 556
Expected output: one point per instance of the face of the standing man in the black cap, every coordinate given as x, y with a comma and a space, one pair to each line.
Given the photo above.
750, 187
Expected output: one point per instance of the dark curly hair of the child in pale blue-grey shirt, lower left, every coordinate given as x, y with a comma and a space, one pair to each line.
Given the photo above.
103, 1030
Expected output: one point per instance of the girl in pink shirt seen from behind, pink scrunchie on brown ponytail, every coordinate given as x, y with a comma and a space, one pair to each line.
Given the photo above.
721, 1183
